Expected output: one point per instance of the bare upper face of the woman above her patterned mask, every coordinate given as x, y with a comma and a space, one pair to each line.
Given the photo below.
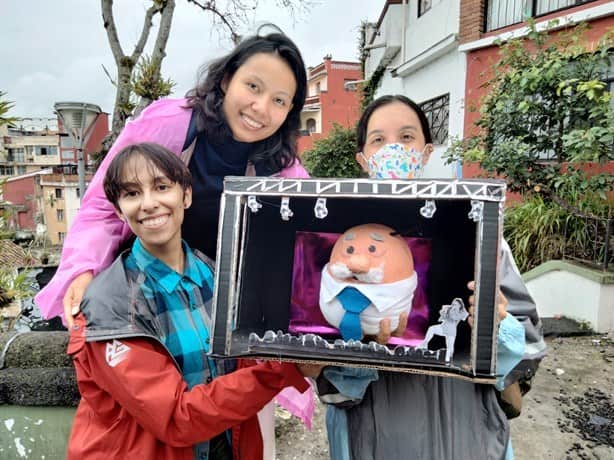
393, 123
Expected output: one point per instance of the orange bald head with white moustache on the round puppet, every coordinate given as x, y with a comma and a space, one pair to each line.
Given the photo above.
370, 254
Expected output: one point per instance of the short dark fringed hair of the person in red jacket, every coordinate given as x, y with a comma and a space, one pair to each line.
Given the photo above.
158, 156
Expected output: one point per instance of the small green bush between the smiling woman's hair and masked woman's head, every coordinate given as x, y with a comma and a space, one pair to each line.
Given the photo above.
334, 155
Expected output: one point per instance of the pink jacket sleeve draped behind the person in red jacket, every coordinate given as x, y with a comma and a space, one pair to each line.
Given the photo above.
96, 232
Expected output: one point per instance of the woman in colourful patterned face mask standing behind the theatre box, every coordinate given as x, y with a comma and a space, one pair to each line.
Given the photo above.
377, 415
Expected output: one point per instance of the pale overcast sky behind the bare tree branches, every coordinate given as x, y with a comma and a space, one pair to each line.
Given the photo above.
53, 50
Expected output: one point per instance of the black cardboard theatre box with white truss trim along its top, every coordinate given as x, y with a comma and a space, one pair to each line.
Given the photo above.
276, 237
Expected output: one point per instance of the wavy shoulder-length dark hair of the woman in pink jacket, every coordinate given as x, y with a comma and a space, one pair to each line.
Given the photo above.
278, 151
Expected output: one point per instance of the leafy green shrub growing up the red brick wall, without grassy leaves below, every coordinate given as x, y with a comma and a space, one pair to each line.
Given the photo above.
547, 107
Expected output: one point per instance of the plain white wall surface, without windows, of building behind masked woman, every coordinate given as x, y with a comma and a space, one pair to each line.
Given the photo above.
428, 66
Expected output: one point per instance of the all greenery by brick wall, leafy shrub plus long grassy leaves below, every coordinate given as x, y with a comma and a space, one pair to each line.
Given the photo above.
547, 113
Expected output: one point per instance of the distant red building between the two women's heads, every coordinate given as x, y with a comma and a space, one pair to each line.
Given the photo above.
332, 97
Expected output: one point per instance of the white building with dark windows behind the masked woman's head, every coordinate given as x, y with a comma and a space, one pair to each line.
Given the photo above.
414, 47
